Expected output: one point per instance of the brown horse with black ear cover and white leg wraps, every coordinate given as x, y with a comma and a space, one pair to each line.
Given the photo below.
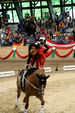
35, 84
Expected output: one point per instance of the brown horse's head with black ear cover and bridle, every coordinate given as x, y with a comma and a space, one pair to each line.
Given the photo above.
42, 82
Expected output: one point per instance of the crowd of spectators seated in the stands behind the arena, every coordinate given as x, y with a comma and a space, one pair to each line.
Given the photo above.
51, 29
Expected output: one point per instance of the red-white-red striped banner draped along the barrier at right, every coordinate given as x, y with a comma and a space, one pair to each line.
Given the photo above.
59, 46
